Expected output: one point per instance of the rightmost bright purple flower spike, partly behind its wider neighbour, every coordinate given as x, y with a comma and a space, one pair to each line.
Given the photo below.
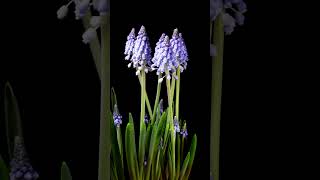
179, 49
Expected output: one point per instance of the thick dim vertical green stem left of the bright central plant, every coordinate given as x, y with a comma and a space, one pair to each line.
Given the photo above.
104, 139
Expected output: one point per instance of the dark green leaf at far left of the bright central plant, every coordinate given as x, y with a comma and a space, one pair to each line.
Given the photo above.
115, 153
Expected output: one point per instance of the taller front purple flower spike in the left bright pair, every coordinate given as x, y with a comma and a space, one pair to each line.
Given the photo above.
141, 55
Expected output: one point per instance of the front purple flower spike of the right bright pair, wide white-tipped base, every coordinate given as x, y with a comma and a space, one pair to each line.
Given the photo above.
164, 59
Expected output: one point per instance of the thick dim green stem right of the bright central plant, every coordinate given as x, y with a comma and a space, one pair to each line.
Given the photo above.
217, 67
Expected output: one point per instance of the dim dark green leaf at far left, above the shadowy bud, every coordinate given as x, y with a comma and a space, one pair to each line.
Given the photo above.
12, 117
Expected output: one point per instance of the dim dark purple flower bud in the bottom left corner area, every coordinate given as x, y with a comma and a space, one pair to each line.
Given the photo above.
21, 168
